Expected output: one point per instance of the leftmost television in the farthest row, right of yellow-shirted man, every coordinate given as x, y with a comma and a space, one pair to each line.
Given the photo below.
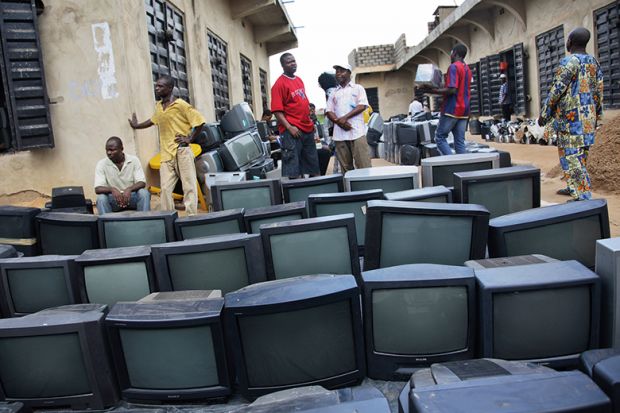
248, 194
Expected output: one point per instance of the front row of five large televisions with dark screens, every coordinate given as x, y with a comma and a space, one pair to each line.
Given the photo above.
323, 330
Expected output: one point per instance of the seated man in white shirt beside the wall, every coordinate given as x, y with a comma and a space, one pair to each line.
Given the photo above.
120, 181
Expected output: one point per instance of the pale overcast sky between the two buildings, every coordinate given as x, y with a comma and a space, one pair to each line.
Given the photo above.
328, 30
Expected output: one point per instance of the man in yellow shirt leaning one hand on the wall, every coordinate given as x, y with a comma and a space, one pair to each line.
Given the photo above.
175, 119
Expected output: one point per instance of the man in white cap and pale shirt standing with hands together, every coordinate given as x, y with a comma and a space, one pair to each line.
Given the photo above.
345, 109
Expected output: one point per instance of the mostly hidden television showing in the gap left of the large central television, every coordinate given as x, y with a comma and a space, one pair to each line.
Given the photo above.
322, 205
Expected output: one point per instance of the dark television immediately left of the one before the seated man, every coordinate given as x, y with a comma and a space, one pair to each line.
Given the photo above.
66, 233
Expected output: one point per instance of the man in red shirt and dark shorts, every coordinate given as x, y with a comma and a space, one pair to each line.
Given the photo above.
291, 107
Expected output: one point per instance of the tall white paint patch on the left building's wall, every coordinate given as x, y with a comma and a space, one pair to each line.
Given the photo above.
105, 60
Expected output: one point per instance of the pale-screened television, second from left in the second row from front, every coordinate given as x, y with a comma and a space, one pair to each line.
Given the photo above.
107, 276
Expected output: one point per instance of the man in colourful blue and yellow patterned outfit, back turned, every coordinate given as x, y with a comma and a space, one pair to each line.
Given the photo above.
574, 106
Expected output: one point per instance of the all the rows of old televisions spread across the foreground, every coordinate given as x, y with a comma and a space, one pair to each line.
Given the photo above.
125, 307
